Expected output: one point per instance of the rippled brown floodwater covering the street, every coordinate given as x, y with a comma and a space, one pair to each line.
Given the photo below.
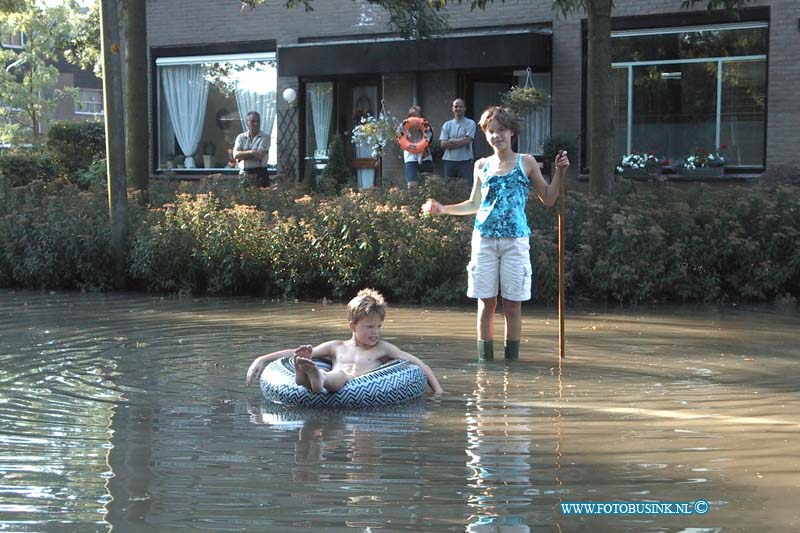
129, 412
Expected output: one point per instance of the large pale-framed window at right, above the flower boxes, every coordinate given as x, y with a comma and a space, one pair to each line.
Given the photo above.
680, 89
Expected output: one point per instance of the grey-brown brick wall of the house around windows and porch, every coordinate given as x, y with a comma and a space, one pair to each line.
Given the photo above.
199, 22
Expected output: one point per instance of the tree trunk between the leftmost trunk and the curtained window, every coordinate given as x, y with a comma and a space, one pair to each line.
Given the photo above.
137, 153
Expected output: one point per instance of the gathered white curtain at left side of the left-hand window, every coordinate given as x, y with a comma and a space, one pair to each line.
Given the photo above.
186, 94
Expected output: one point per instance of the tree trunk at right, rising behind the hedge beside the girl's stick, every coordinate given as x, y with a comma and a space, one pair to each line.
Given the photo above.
601, 118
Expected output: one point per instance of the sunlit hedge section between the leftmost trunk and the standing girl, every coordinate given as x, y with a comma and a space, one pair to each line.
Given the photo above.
285, 245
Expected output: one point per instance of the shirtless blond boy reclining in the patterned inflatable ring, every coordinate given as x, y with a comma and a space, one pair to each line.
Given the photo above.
364, 352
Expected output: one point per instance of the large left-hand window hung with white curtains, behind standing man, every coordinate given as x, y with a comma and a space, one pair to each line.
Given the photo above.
203, 103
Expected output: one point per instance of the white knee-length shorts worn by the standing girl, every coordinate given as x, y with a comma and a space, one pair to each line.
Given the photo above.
500, 264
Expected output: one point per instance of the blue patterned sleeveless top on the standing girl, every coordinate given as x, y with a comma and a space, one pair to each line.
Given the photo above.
503, 199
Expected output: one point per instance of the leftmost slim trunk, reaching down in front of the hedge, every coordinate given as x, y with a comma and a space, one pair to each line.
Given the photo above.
115, 141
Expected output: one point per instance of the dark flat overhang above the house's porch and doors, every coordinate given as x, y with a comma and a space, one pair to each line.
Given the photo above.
473, 51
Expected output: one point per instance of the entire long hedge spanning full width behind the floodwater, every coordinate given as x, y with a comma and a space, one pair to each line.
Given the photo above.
649, 243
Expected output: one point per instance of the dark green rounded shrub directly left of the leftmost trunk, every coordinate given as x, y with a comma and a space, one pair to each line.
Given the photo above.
76, 145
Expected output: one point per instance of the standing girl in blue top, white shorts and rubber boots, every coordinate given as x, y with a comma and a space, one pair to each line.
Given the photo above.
500, 258
